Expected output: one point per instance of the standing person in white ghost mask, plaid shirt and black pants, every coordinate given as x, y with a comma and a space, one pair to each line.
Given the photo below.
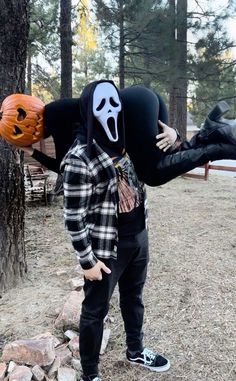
105, 214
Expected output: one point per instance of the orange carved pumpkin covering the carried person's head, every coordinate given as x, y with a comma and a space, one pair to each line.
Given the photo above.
21, 119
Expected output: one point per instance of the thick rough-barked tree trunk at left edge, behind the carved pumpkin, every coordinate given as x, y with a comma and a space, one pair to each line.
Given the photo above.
14, 28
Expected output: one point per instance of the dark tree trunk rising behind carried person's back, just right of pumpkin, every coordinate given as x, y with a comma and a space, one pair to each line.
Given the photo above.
66, 49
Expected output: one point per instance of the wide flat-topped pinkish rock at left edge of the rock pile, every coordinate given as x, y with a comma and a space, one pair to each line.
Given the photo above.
30, 352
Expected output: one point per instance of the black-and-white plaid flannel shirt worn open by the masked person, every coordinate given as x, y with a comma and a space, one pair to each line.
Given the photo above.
90, 203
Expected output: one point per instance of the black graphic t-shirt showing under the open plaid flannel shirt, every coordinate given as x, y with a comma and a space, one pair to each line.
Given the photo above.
131, 218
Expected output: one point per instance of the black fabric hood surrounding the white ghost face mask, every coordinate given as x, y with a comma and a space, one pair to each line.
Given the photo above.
92, 129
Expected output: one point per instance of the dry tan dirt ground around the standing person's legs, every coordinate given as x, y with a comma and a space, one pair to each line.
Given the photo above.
189, 296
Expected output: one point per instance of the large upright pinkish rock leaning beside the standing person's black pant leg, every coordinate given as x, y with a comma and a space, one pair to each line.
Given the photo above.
70, 314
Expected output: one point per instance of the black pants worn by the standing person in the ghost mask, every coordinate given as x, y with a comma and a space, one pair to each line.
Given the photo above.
130, 272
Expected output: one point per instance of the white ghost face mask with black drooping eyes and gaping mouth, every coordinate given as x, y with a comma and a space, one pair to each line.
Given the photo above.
106, 107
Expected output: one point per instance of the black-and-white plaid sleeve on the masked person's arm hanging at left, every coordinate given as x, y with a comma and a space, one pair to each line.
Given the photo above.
77, 194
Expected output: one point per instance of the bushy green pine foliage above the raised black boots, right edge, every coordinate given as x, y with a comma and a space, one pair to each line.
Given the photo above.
215, 76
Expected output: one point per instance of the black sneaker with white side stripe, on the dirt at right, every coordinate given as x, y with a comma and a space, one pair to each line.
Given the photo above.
150, 360
